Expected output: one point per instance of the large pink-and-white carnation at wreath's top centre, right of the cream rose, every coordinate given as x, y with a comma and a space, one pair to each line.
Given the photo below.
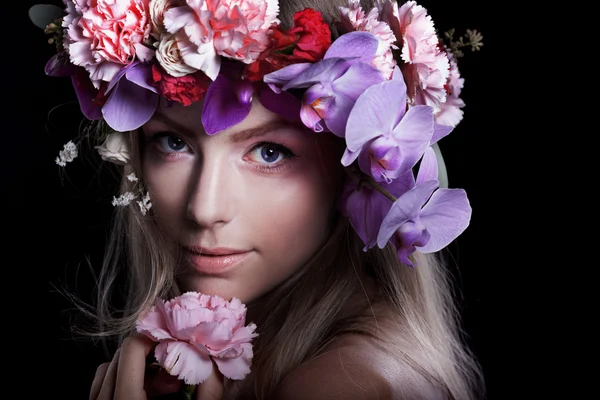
208, 29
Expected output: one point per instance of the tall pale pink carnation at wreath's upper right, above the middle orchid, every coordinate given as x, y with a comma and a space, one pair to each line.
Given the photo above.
426, 66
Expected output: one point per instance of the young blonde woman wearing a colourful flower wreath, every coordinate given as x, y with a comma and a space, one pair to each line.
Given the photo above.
227, 121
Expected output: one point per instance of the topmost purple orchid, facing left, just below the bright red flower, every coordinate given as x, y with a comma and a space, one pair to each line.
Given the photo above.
334, 83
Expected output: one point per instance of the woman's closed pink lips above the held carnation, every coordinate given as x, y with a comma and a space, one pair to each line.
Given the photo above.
214, 261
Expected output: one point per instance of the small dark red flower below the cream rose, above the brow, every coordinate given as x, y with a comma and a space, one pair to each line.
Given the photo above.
184, 89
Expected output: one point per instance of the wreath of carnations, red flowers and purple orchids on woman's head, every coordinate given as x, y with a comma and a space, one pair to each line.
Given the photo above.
388, 85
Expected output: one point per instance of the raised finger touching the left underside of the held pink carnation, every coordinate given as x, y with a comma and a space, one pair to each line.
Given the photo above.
132, 367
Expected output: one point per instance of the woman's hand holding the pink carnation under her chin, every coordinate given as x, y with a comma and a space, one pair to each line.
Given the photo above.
128, 377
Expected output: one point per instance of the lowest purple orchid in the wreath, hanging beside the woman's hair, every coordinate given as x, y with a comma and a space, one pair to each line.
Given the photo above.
426, 217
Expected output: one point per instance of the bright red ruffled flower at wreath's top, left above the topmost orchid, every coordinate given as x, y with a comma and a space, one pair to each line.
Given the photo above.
314, 35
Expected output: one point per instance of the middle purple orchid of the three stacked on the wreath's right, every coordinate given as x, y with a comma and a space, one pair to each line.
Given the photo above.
387, 138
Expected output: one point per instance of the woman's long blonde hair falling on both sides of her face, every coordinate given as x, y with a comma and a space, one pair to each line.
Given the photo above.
308, 311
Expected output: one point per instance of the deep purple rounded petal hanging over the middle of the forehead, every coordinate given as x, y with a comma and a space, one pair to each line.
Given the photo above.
222, 108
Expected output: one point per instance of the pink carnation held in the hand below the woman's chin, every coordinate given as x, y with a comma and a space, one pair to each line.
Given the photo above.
194, 328
